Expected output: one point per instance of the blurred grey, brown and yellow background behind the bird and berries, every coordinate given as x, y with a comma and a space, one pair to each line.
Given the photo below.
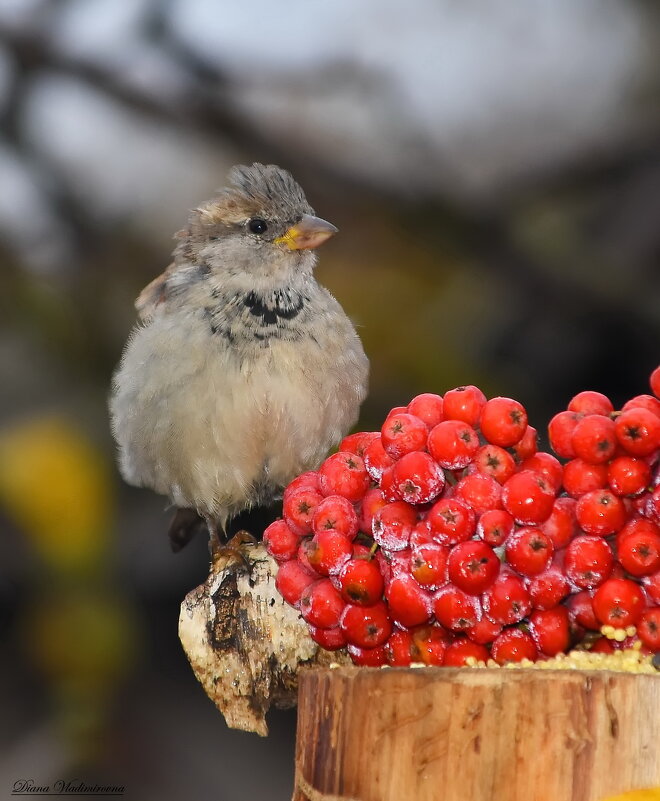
494, 170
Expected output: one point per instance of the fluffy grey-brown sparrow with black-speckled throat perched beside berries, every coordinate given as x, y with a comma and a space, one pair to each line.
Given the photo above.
243, 371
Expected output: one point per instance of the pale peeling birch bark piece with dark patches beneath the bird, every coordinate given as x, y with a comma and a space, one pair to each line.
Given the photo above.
245, 644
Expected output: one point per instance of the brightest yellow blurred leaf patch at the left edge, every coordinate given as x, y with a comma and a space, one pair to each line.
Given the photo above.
56, 485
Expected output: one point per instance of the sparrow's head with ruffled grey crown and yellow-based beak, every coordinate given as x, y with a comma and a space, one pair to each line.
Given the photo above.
261, 225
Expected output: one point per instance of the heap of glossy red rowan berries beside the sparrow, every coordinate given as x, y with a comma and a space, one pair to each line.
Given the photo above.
448, 536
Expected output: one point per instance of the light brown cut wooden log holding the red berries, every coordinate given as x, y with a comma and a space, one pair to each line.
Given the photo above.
440, 734
